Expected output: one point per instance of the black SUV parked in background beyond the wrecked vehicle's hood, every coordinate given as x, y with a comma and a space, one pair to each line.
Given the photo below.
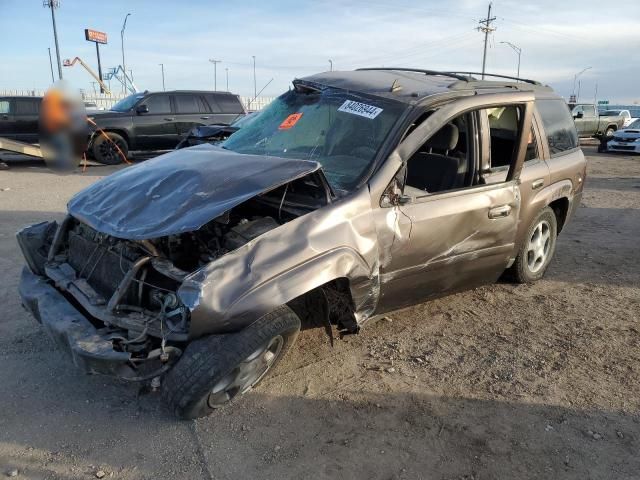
157, 120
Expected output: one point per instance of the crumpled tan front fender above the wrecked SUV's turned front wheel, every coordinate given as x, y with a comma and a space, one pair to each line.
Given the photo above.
287, 262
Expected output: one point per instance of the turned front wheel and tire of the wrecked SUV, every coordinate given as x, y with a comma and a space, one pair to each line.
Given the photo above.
216, 369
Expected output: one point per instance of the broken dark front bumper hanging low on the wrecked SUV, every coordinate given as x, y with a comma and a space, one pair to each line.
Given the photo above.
90, 351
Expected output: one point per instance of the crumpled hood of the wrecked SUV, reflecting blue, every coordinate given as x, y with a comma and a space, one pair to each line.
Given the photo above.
180, 191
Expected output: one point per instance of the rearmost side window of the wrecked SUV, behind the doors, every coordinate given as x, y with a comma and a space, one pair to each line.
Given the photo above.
558, 125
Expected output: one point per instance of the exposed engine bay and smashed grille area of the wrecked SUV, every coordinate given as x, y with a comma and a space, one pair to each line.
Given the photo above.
128, 289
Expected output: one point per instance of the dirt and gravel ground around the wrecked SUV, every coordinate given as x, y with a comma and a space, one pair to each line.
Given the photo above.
515, 382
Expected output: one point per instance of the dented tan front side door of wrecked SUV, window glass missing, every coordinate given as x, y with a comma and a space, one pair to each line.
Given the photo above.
463, 235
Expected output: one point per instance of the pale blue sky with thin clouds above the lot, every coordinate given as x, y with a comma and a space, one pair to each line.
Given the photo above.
292, 39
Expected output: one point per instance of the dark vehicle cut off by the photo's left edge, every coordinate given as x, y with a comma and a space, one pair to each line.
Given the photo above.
19, 118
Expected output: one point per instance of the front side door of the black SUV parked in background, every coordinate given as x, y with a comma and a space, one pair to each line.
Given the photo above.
155, 129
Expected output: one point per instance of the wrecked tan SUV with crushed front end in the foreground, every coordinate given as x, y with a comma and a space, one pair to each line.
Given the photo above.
353, 194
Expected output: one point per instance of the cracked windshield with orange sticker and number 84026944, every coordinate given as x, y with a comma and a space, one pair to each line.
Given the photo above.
341, 131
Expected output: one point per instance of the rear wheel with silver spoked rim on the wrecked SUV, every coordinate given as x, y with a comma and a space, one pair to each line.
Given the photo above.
526, 268
